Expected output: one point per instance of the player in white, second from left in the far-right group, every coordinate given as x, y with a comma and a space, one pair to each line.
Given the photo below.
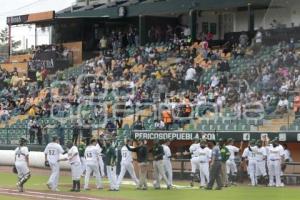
261, 156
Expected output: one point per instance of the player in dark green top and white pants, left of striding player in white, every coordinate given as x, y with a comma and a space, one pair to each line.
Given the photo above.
110, 158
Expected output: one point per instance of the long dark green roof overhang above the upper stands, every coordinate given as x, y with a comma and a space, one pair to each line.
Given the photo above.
159, 7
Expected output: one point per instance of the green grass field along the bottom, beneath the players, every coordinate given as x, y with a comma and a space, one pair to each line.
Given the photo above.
127, 192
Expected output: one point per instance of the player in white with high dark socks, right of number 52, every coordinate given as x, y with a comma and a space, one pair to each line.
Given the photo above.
74, 160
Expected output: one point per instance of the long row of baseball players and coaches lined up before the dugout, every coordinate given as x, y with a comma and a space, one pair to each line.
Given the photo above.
264, 161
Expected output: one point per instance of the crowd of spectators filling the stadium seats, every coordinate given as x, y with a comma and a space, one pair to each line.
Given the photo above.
172, 73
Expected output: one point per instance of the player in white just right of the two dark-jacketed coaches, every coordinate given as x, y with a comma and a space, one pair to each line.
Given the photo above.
167, 161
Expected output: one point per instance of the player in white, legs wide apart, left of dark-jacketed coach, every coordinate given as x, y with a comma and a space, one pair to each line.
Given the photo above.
126, 165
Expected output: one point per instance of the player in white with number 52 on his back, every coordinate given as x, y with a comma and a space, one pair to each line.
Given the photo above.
52, 153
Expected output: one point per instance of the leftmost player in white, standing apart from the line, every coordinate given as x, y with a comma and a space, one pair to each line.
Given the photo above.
22, 163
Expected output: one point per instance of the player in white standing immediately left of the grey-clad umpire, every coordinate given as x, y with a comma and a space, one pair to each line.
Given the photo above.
204, 154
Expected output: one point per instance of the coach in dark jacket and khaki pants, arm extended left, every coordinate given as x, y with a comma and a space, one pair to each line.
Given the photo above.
142, 158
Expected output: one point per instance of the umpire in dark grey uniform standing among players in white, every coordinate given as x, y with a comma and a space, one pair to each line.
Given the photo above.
215, 170
